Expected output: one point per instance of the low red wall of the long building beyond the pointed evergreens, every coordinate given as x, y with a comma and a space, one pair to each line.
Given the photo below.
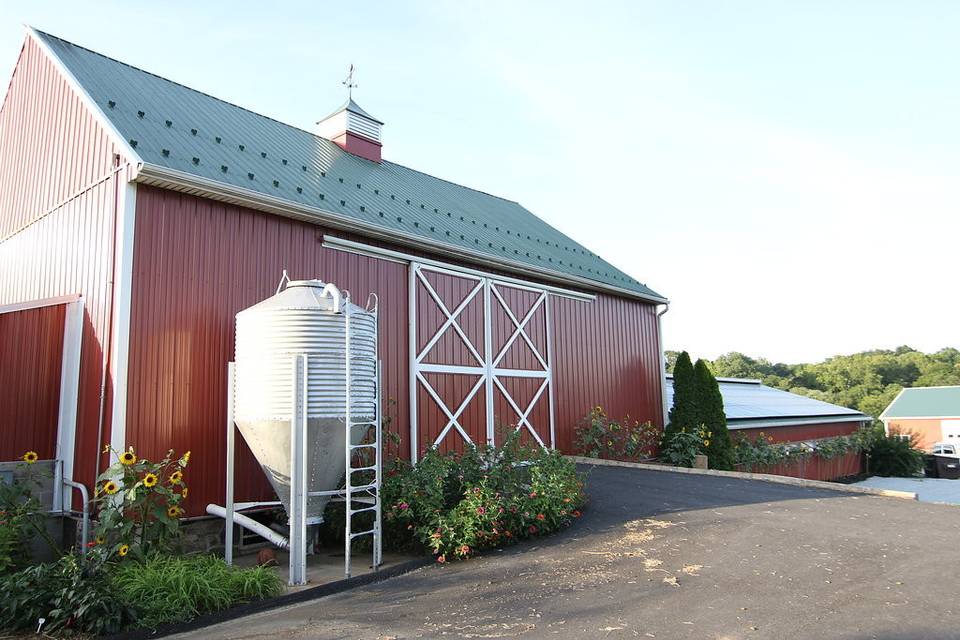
813, 468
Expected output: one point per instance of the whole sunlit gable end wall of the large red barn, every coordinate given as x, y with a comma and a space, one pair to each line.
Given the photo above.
50, 150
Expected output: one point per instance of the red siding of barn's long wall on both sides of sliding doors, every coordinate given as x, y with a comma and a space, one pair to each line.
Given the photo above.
198, 262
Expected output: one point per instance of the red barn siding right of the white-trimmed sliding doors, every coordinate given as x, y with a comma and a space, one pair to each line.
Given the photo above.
605, 353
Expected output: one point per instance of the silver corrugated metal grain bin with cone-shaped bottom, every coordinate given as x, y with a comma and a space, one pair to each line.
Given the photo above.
307, 317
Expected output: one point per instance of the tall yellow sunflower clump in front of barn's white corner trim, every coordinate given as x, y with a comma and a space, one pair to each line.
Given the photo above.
139, 504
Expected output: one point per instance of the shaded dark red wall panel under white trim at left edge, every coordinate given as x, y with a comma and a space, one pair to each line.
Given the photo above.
31, 350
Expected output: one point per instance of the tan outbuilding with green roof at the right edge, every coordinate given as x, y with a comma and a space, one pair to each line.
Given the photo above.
932, 414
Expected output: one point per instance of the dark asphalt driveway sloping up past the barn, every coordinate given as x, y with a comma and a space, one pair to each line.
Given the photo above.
665, 555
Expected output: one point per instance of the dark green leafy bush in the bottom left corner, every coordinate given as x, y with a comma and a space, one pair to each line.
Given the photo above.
69, 594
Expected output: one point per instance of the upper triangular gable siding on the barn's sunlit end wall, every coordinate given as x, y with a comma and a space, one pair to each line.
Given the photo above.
50, 146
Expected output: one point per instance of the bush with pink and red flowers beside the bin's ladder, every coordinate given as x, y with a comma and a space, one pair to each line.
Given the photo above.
488, 496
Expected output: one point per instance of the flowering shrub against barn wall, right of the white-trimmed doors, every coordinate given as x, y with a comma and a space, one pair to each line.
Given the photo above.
597, 436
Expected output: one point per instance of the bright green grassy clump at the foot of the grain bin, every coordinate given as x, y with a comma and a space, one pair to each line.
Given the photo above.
170, 589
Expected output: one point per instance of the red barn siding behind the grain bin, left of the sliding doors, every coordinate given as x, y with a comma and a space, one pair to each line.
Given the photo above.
196, 264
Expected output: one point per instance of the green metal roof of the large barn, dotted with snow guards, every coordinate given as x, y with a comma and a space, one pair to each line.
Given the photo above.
175, 127
